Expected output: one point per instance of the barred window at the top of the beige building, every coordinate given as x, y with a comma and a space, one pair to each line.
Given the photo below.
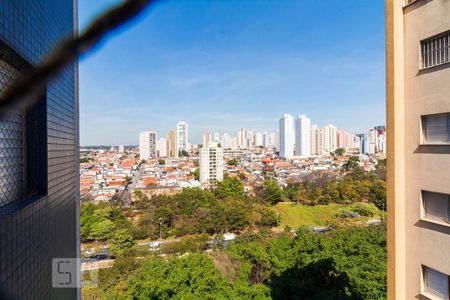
435, 50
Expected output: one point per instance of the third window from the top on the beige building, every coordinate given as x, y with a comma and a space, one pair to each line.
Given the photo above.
436, 206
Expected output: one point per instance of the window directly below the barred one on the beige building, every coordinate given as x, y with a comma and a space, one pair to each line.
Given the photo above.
436, 129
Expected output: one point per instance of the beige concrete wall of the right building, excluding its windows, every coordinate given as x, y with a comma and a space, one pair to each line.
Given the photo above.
425, 167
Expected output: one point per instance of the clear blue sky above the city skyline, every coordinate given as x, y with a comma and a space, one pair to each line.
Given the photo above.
221, 65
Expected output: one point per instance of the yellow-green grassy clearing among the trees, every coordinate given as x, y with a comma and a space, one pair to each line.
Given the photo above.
295, 215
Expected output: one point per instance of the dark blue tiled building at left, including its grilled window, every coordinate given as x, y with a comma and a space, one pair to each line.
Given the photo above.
39, 179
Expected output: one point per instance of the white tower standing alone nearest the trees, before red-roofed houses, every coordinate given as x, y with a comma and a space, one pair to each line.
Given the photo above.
211, 165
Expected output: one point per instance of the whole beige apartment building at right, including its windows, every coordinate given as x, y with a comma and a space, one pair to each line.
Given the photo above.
418, 154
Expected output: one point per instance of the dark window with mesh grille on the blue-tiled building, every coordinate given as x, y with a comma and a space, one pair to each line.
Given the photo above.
23, 139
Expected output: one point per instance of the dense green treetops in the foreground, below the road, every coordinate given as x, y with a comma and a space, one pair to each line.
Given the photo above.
344, 264
